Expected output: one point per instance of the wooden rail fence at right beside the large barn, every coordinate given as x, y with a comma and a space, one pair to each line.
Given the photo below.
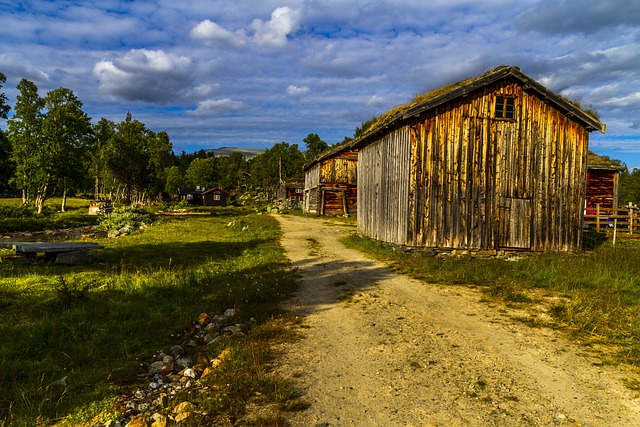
623, 220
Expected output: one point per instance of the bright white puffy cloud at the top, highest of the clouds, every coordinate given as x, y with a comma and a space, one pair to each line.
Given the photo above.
271, 33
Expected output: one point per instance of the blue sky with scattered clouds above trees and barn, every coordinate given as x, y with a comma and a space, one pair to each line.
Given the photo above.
253, 73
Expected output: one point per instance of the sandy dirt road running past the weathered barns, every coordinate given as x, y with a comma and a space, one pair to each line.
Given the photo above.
381, 349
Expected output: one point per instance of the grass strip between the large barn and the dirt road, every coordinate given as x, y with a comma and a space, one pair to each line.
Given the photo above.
594, 295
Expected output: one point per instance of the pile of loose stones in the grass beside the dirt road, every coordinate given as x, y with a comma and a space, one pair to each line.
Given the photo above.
159, 402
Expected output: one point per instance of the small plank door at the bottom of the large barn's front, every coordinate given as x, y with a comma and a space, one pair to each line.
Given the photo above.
515, 223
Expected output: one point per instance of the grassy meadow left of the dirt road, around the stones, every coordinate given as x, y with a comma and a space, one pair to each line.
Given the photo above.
67, 329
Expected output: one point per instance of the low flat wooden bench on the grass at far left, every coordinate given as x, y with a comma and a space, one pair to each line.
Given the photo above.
60, 252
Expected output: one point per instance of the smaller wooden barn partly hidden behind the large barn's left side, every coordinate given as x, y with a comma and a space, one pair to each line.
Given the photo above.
330, 182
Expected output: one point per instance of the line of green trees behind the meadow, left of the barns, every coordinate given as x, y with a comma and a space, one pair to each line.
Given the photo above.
51, 147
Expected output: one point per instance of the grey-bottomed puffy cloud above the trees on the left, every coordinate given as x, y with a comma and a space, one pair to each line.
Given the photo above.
145, 75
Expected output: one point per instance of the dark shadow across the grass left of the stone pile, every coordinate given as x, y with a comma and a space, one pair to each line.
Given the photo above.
59, 354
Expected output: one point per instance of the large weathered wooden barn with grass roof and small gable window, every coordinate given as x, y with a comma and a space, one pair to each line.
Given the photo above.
496, 162
